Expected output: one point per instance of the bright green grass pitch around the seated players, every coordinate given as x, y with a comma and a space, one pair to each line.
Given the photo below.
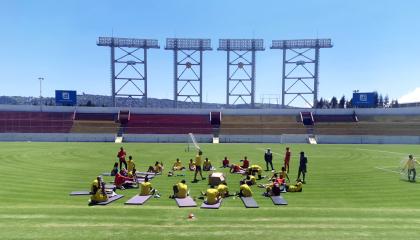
346, 197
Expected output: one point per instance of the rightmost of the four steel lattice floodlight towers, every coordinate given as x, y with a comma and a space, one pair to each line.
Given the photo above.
301, 68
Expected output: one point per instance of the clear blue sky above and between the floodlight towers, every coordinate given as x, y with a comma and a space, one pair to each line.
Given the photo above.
376, 43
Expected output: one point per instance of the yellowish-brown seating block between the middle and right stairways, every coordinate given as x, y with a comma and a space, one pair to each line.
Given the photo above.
260, 125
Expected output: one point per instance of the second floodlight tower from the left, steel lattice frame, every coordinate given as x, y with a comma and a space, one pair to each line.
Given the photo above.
188, 68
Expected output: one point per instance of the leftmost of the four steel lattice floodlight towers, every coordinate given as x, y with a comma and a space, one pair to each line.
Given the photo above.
131, 79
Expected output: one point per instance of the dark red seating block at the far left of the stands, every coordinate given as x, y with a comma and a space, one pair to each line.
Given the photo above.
35, 122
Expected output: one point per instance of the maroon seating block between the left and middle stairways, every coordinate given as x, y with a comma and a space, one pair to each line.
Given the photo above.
168, 124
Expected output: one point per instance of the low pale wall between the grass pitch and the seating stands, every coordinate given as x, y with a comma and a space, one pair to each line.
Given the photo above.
205, 138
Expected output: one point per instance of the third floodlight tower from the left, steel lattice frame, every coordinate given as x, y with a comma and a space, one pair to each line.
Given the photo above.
241, 70
